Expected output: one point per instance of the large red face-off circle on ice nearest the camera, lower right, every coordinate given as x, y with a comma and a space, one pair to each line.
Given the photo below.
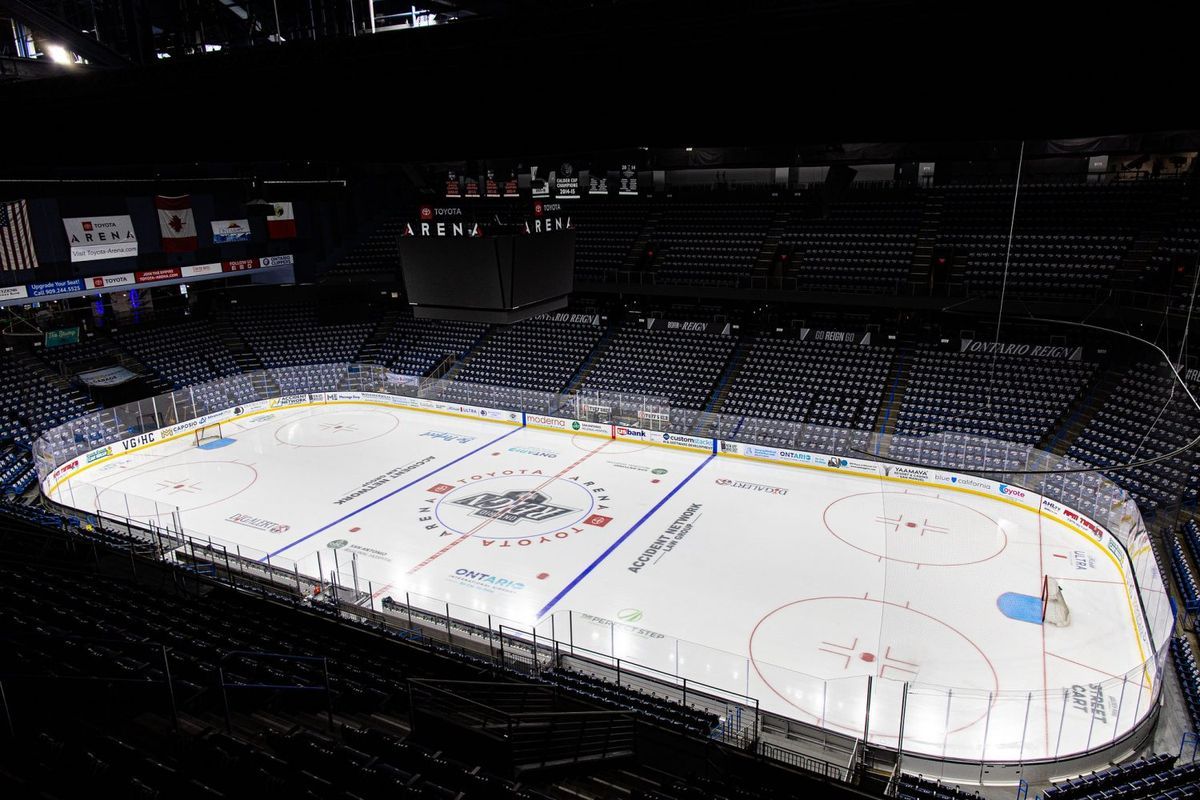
836, 643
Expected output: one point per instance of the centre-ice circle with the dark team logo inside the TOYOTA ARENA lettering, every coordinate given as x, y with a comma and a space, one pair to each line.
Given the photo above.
514, 507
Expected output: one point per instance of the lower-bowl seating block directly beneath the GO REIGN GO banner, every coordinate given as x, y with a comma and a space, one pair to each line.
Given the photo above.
831, 384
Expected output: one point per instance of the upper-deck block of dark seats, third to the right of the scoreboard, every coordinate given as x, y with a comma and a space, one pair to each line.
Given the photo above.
863, 244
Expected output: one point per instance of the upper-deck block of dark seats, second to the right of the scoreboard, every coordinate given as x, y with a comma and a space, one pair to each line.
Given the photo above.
709, 244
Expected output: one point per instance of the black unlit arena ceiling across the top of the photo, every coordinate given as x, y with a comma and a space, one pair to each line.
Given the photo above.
299, 80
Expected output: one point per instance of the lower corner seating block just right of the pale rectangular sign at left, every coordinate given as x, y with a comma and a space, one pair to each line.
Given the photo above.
183, 353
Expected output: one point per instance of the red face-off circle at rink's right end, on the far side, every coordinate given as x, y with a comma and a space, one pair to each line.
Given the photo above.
911, 528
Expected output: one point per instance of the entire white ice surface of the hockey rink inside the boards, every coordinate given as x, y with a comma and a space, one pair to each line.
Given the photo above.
788, 585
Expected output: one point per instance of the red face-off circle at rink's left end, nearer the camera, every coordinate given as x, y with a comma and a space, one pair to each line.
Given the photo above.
157, 491
